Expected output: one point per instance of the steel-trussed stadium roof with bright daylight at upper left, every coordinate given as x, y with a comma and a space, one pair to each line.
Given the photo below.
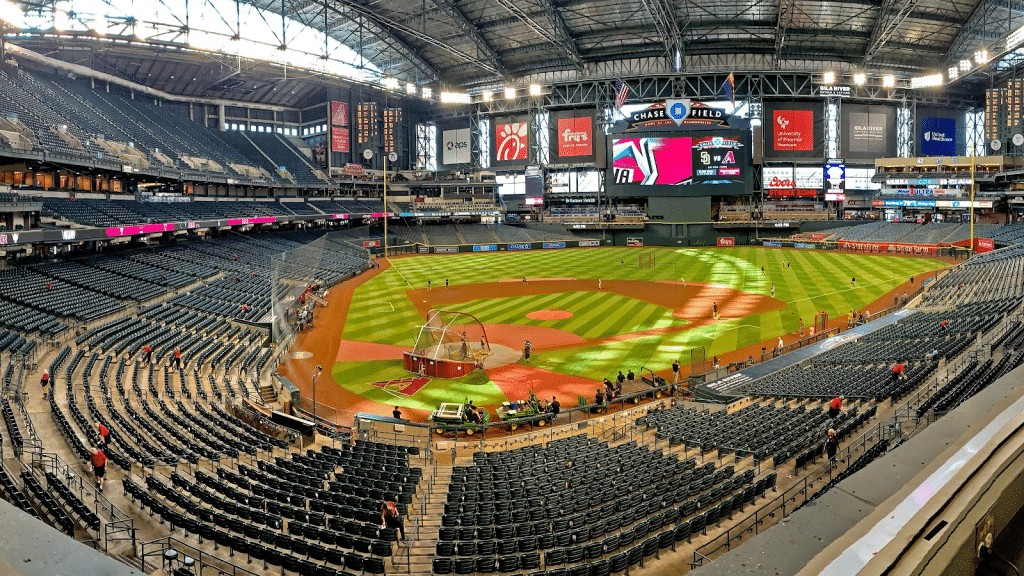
487, 45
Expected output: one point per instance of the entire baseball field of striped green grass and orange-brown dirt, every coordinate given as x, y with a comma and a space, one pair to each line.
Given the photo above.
588, 313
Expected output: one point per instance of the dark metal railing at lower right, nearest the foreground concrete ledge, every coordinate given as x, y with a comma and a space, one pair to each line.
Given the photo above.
791, 500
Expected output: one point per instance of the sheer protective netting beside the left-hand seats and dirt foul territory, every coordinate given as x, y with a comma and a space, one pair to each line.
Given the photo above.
302, 278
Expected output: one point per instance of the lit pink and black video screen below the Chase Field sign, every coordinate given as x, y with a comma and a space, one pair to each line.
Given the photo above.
675, 161
